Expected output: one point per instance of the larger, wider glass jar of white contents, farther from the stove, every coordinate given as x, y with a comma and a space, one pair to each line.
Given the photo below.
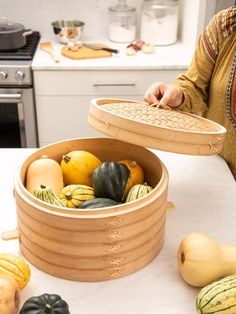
159, 21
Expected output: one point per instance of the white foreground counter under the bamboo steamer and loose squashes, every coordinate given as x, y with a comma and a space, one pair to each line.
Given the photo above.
203, 191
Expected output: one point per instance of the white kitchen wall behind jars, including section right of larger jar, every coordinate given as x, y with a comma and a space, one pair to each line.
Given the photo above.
38, 14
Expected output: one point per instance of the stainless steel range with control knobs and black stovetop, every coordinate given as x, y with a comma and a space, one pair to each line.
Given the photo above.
18, 126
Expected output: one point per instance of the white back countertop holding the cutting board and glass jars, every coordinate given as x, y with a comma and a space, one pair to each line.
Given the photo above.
176, 56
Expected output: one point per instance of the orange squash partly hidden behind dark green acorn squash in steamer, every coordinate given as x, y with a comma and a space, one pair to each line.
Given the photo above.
136, 173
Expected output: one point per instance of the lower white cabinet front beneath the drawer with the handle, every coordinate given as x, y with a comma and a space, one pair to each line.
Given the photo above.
65, 117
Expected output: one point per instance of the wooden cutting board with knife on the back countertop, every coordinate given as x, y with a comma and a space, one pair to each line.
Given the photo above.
85, 53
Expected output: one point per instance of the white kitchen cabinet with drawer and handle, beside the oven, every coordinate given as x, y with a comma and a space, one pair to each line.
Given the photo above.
63, 97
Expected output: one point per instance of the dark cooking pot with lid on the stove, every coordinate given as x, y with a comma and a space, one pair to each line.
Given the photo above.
12, 35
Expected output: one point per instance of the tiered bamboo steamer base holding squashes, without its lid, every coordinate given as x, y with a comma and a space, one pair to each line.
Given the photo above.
93, 244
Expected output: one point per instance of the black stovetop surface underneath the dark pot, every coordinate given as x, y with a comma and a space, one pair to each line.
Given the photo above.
25, 53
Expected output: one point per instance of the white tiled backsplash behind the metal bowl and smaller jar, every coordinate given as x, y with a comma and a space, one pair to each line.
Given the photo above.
38, 14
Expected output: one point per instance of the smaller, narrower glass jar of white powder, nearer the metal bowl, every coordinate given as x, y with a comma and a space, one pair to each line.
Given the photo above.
122, 28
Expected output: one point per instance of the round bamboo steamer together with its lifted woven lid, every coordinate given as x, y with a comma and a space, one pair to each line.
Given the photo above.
108, 243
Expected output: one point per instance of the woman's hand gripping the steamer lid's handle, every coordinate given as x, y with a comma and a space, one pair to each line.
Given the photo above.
164, 94
